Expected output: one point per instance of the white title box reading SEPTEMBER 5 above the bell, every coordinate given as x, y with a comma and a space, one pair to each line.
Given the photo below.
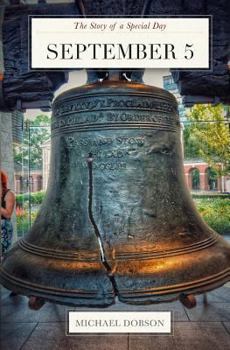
61, 43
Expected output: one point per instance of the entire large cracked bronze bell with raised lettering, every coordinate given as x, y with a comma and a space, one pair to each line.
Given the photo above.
117, 219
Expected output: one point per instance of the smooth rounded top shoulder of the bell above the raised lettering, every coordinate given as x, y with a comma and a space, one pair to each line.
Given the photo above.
115, 87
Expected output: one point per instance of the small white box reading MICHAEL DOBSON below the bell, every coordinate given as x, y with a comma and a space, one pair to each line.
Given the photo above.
119, 322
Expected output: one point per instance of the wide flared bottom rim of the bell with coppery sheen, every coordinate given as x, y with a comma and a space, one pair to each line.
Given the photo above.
136, 281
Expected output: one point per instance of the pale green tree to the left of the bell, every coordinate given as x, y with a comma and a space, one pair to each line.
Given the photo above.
36, 132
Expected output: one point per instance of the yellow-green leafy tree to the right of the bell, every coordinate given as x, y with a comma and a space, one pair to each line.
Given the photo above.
207, 136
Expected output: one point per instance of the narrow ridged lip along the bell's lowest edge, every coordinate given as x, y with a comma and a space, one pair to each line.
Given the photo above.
140, 297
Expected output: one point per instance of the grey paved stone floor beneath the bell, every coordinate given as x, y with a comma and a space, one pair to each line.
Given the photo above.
202, 328
